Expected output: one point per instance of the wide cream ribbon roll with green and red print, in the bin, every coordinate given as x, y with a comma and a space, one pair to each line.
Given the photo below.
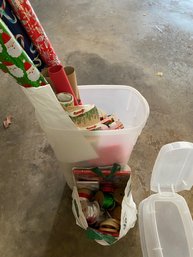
84, 115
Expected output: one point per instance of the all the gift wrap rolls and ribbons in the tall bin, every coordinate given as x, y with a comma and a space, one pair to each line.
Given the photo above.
29, 57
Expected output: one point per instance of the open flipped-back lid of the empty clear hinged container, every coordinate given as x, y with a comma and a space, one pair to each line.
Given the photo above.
173, 168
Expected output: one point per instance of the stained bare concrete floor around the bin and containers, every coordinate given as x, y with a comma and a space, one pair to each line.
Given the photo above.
108, 42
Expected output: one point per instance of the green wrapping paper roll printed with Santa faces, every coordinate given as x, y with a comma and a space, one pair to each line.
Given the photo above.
15, 61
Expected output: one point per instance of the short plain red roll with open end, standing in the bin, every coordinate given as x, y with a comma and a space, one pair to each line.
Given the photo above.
60, 81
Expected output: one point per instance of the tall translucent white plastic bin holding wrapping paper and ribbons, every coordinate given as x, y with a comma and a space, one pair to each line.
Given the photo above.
74, 147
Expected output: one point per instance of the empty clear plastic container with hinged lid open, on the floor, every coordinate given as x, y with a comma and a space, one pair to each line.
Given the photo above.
165, 222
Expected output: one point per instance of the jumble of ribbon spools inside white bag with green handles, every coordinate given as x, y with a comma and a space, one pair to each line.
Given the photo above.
101, 196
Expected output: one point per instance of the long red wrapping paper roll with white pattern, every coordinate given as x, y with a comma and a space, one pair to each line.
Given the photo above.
29, 20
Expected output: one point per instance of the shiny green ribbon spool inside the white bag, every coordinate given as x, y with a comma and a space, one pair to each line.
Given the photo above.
105, 200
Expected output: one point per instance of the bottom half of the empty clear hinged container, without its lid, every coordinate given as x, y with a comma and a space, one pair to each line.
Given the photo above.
165, 225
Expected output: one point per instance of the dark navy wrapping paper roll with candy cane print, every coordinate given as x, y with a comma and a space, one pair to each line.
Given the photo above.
10, 19
